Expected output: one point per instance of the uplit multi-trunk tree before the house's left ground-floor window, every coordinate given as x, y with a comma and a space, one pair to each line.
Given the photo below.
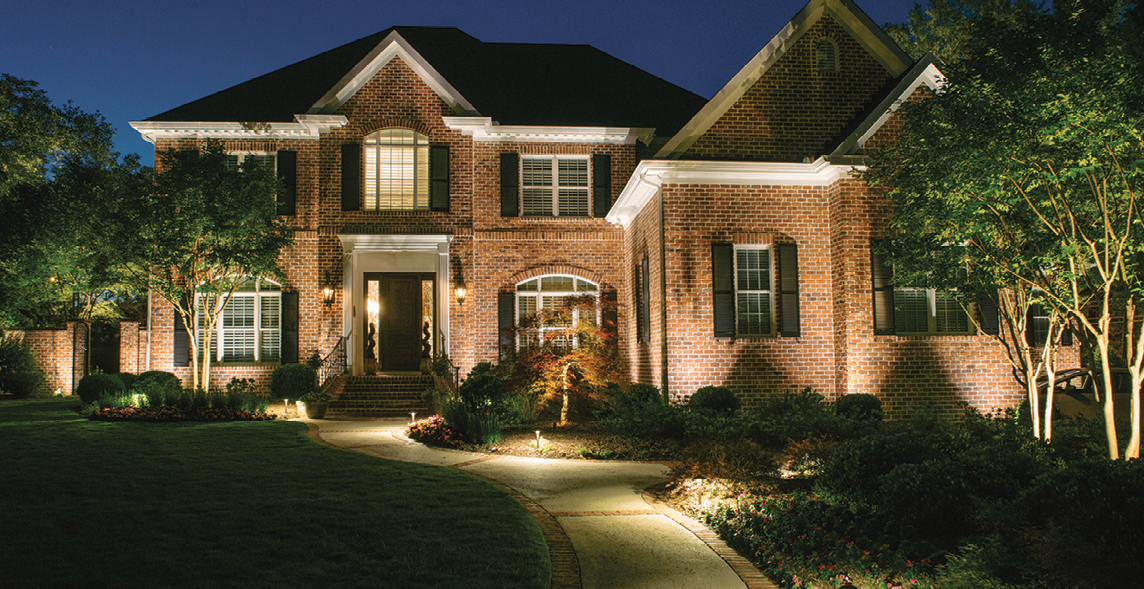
201, 234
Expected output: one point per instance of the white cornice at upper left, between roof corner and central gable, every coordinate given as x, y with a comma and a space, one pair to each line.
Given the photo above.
305, 128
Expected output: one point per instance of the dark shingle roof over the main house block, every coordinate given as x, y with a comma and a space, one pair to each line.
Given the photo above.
513, 84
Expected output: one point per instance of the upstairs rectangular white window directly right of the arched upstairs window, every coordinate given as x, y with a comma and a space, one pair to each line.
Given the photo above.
554, 186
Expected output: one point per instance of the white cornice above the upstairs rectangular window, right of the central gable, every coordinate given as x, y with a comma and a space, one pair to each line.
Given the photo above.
483, 130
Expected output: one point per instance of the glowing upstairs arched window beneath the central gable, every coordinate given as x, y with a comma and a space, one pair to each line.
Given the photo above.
396, 171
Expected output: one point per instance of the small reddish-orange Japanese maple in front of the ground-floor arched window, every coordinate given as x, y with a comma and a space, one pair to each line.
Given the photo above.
570, 359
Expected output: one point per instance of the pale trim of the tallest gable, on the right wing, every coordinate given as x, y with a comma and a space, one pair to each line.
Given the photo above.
852, 19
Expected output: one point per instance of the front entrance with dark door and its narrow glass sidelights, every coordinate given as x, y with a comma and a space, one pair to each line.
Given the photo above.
396, 305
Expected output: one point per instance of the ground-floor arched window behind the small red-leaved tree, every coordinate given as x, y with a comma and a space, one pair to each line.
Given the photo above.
550, 307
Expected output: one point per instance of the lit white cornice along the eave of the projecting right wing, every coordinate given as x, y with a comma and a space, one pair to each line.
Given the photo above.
653, 174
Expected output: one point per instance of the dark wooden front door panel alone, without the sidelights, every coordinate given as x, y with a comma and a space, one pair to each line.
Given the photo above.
400, 330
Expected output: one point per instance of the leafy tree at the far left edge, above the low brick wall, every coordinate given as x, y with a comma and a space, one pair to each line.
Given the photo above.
57, 172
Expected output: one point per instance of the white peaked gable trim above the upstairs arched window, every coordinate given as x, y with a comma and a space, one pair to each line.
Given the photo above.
393, 46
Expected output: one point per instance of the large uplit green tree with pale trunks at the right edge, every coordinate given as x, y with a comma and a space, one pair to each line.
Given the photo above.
1031, 156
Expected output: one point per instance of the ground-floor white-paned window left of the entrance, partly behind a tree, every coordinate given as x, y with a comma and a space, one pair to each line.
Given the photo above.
250, 329
